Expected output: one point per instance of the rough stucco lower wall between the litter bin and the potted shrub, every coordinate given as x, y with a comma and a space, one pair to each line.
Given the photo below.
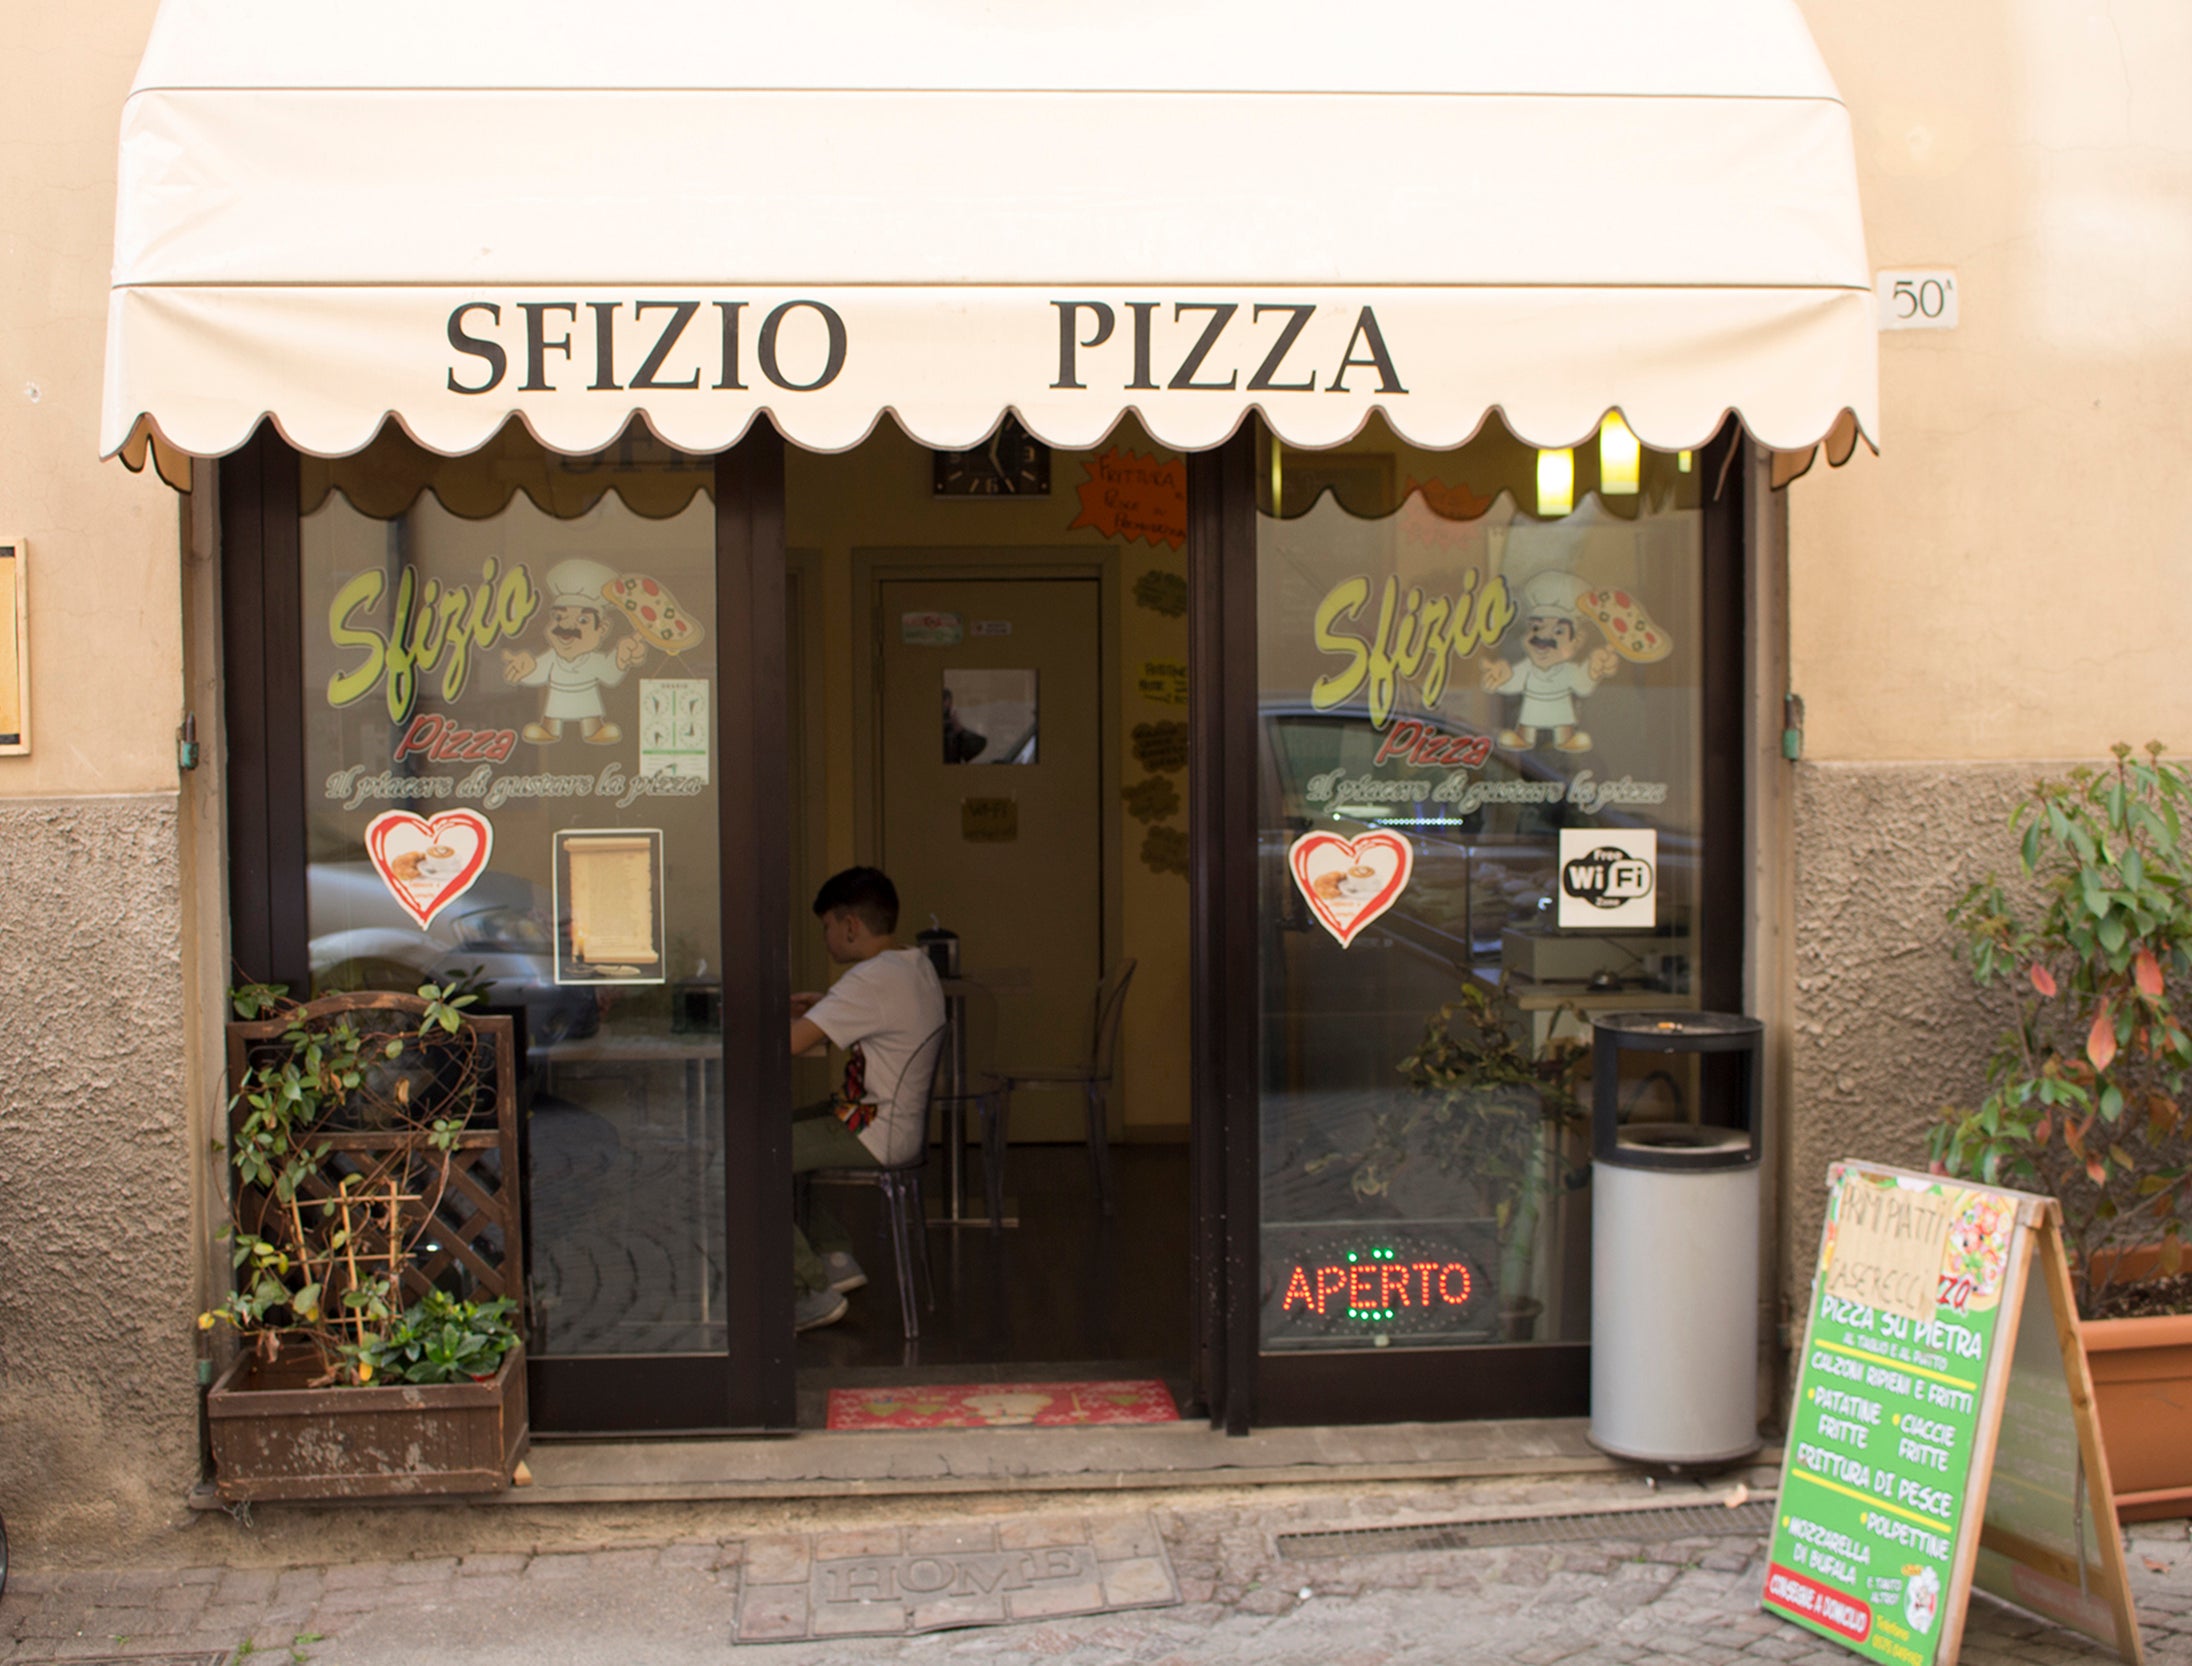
1888, 1025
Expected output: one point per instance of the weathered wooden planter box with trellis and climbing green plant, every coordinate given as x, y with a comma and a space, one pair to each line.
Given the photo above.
376, 1251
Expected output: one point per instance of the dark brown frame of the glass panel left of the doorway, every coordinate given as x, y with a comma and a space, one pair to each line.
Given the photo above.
751, 1387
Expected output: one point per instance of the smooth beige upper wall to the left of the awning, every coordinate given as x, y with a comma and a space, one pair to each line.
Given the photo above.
106, 606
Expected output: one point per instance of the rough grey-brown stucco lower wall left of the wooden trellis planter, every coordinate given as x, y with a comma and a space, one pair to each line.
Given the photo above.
98, 1360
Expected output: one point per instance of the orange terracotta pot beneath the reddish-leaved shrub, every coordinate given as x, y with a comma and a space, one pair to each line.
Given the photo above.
2143, 1389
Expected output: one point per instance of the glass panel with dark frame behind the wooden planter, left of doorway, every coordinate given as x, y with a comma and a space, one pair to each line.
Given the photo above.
532, 729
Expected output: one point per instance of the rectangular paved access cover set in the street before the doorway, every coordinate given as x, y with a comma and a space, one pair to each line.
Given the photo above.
898, 1582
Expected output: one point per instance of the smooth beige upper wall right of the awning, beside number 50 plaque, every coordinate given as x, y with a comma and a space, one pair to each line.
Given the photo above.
2009, 580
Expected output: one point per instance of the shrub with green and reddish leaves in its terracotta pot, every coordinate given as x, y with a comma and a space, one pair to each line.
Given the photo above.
2086, 1088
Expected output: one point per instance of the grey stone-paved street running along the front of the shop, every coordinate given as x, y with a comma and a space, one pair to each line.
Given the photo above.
729, 1584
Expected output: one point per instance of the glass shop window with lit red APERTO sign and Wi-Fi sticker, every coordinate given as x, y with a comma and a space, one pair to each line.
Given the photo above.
1481, 771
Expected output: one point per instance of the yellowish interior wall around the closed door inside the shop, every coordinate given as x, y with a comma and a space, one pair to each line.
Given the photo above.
880, 499
